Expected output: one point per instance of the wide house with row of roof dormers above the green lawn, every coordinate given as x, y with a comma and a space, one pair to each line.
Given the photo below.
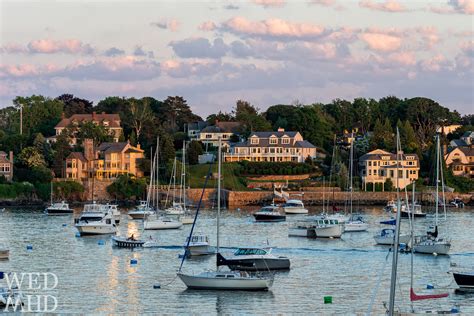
276, 146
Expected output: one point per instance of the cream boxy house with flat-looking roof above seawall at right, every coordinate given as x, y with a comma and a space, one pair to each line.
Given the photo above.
379, 165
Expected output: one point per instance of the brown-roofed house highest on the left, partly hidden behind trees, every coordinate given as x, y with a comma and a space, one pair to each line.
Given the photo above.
111, 122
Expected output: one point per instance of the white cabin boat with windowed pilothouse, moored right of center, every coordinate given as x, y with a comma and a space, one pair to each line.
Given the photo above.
320, 227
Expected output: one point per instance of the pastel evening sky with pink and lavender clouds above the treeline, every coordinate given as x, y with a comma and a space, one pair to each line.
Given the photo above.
214, 53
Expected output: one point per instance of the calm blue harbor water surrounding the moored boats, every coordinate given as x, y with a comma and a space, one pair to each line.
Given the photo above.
96, 278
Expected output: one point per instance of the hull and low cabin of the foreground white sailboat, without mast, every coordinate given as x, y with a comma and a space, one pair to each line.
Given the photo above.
226, 280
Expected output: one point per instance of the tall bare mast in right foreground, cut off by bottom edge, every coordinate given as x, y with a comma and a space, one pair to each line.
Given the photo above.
393, 278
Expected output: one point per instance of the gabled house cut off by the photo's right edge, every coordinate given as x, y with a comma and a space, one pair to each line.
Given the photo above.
461, 161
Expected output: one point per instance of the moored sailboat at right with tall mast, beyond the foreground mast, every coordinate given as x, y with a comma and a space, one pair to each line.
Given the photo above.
431, 243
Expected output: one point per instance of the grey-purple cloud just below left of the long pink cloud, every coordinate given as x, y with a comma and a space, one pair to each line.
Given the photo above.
199, 48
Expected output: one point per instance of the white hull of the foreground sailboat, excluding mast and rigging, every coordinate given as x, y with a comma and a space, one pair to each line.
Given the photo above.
209, 281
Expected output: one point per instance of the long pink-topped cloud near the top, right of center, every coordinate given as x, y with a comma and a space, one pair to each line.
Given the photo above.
273, 27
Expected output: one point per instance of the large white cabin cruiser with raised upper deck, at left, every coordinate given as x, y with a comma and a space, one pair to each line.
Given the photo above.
96, 220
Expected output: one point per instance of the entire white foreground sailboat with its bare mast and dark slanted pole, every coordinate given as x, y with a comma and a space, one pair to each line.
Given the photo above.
221, 280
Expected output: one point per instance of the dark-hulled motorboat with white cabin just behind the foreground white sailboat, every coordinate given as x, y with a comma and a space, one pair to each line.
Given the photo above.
254, 259
